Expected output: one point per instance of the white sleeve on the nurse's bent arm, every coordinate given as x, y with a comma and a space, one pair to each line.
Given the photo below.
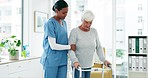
55, 46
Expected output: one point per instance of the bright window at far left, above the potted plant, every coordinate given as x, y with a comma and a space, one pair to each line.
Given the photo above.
10, 18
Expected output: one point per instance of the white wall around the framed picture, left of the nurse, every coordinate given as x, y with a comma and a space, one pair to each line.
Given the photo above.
30, 37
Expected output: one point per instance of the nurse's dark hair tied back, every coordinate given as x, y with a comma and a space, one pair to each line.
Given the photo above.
59, 5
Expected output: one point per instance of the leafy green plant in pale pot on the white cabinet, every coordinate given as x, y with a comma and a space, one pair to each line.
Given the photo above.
11, 44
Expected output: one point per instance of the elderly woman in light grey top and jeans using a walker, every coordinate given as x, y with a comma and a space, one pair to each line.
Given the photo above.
87, 42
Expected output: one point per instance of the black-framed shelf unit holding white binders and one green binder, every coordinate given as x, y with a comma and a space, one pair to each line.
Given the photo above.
137, 56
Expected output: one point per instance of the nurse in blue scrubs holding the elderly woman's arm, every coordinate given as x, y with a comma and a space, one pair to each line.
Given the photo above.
55, 43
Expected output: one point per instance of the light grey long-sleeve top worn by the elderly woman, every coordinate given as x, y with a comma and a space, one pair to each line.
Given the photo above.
87, 43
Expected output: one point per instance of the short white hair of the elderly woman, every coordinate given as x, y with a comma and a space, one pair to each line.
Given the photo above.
88, 15
